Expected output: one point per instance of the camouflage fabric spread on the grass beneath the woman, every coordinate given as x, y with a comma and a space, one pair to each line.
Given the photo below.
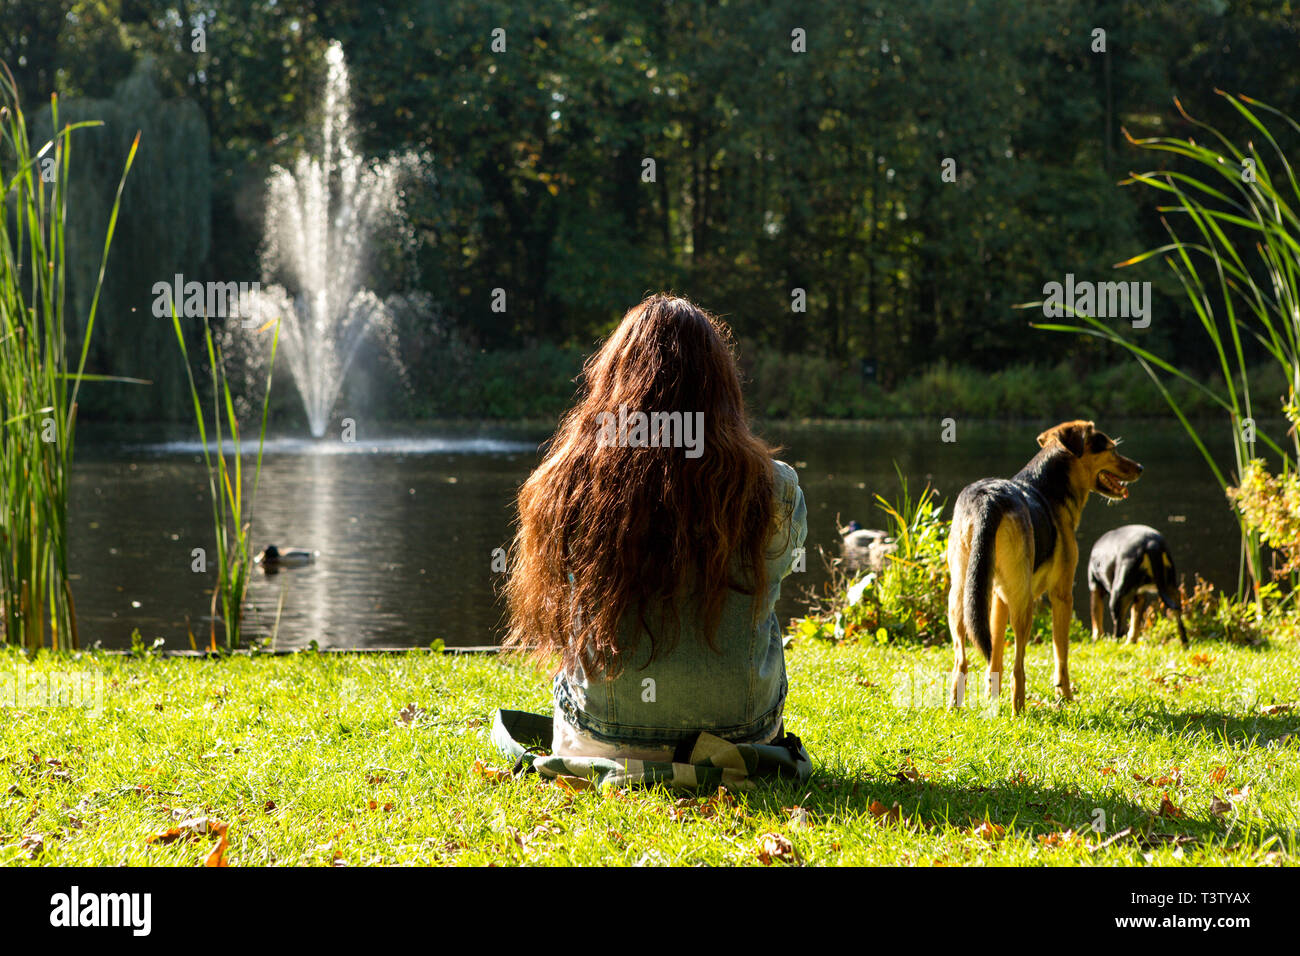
713, 762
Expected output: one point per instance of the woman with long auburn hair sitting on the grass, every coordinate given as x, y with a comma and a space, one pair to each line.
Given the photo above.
652, 546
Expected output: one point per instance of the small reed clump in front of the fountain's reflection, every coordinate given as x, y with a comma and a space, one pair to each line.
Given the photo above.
231, 524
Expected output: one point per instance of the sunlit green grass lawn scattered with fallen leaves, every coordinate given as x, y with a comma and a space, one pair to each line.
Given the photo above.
1176, 758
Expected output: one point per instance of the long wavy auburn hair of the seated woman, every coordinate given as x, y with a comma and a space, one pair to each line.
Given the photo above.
617, 543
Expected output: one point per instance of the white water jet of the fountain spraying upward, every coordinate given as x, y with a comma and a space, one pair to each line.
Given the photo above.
322, 219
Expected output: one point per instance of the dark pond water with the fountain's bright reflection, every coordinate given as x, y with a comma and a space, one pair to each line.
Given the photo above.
406, 526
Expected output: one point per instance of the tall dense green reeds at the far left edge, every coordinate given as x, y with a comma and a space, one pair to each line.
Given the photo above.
38, 391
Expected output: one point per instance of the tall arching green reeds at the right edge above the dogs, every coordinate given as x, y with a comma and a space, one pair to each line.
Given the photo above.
1237, 256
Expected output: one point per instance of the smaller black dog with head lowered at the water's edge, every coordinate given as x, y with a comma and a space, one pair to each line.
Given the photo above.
1126, 566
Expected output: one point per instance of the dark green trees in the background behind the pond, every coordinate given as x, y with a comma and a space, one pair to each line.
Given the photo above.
623, 146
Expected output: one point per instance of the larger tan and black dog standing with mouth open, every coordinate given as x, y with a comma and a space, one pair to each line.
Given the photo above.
1012, 540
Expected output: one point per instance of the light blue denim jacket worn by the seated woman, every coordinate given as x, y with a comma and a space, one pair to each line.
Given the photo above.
736, 693
